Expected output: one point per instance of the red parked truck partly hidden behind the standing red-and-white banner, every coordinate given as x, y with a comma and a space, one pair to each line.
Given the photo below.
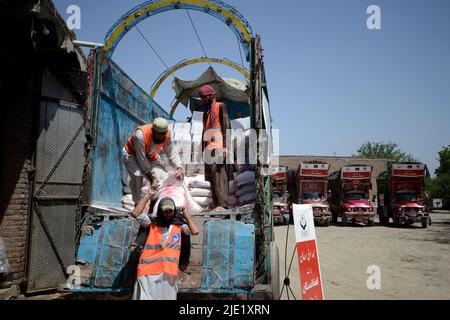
312, 186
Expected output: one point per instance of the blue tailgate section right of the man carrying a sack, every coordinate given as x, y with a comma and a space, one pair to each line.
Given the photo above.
225, 254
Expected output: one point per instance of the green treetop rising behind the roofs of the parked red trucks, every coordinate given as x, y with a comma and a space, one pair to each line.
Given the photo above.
383, 150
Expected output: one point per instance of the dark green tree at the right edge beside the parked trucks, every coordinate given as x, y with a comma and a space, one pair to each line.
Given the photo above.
439, 187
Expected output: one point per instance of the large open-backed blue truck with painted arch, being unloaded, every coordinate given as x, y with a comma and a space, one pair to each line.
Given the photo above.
235, 254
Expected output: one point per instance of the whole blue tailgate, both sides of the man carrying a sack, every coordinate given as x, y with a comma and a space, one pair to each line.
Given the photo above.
227, 238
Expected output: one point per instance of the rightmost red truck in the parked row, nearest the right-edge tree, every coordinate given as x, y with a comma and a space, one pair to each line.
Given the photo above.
401, 195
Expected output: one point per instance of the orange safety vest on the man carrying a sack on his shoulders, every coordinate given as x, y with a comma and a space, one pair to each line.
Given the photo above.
157, 258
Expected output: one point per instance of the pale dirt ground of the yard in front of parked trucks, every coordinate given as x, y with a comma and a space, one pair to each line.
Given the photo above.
414, 262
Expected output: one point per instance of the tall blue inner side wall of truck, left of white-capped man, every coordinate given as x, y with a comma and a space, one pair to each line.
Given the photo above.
122, 106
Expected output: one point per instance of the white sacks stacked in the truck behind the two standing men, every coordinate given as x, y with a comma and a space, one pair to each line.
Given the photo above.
188, 139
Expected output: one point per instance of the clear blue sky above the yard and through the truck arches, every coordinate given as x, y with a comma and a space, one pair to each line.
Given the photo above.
333, 83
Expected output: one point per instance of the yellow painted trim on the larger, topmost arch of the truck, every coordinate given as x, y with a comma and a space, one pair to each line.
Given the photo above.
128, 21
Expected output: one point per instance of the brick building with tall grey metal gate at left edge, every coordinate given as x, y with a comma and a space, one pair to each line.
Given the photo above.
42, 96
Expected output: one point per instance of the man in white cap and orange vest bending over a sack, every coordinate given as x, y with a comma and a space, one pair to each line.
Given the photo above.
141, 155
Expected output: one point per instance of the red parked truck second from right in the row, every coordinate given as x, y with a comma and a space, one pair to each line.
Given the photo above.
349, 197
